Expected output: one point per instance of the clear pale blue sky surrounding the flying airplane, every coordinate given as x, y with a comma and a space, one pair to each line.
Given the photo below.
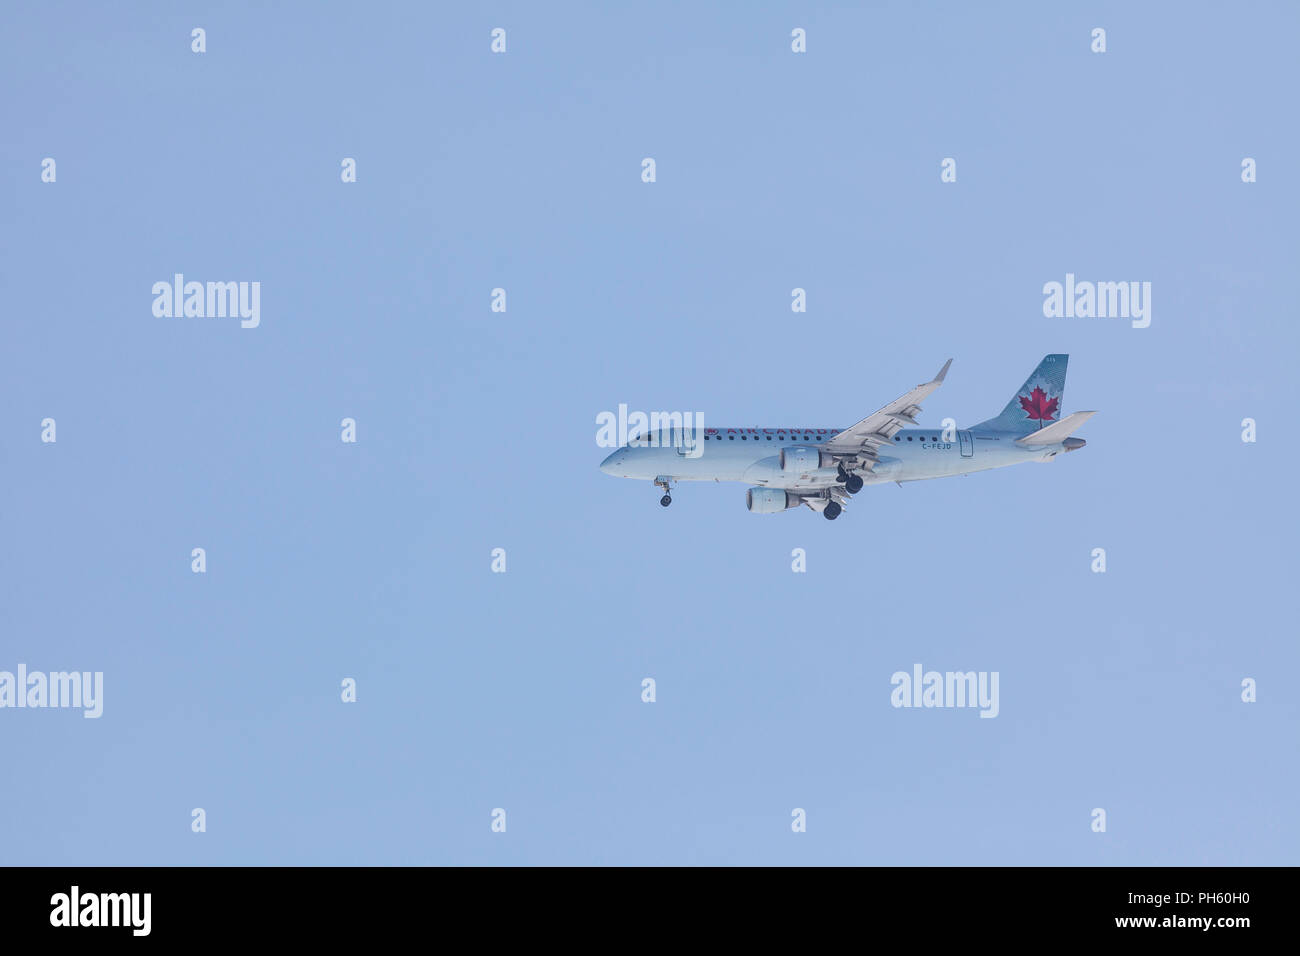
476, 431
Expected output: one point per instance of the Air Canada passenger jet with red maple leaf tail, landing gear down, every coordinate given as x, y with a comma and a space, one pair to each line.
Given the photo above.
825, 468
